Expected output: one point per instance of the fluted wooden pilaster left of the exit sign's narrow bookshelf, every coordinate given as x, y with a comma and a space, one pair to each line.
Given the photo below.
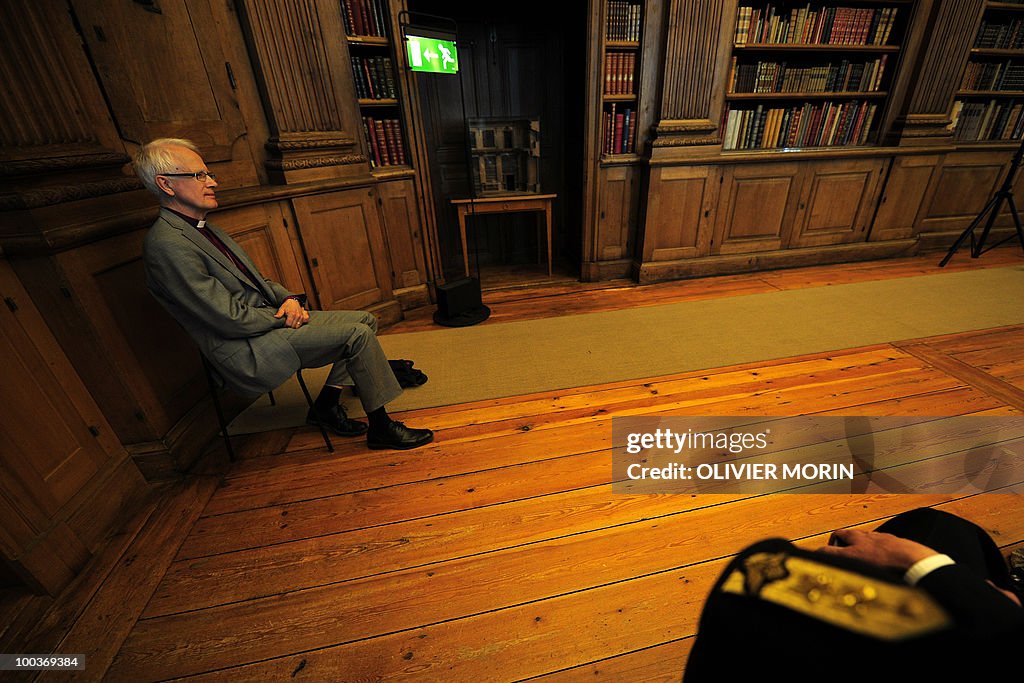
302, 62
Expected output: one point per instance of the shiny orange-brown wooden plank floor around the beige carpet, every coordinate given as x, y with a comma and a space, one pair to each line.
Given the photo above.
500, 553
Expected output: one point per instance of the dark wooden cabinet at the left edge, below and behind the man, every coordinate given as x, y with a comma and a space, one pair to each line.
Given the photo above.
59, 492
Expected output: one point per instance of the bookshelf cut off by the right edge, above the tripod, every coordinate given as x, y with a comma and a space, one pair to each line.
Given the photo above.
990, 104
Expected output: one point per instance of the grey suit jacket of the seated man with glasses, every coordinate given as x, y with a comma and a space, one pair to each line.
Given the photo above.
229, 317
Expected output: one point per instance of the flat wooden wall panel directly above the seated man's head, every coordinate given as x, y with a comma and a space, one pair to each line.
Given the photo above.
165, 75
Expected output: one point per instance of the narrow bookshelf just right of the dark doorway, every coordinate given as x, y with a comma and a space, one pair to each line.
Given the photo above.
621, 77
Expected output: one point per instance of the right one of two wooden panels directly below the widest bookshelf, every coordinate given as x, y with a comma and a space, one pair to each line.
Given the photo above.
838, 202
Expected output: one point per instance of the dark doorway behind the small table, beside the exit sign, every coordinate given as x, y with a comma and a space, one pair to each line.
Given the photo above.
520, 61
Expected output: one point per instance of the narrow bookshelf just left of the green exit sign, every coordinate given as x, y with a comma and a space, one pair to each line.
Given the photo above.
368, 30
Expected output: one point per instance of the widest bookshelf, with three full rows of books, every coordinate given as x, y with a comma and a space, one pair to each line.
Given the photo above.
812, 74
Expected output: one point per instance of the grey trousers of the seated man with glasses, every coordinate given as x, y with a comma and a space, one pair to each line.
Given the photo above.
349, 340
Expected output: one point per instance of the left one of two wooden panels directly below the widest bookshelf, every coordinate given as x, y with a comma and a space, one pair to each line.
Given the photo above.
757, 206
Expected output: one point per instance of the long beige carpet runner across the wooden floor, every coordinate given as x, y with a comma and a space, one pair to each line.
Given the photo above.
510, 359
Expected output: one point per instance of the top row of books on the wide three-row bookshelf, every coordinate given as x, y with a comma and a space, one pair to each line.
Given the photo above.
829, 26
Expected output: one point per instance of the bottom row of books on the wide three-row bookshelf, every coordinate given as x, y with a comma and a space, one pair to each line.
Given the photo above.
810, 125
